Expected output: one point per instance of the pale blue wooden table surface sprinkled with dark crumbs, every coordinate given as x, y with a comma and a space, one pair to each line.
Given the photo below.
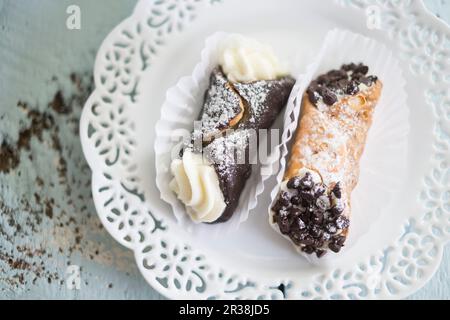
47, 217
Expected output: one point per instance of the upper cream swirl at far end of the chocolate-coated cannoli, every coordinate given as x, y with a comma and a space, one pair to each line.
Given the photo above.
245, 60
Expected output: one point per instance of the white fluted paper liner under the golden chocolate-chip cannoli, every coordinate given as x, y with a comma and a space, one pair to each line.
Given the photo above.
383, 164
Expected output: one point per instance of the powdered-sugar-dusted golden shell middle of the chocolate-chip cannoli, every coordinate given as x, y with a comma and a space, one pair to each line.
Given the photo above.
334, 139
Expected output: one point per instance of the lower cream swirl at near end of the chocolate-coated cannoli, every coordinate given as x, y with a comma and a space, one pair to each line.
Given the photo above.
196, 184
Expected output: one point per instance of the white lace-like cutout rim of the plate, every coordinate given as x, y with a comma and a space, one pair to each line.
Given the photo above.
176, 269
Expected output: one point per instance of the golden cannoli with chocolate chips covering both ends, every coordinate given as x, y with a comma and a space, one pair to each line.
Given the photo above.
312, 209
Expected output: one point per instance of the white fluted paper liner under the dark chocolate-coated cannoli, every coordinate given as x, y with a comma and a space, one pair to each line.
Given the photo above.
180, 110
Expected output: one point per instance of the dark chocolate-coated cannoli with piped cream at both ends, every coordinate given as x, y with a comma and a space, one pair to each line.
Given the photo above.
247, 91
